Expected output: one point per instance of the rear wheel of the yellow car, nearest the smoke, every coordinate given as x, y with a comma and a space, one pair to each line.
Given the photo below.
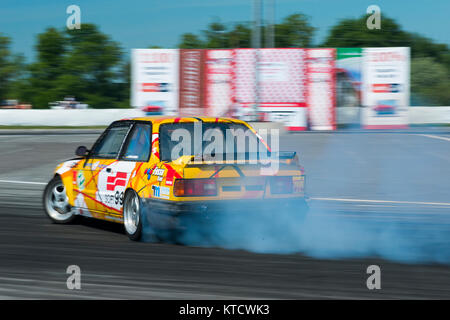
132, 216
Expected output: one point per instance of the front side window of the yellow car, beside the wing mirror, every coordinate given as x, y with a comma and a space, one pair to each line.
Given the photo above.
109, 145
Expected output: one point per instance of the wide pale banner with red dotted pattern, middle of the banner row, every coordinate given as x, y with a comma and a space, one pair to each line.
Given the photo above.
282, 84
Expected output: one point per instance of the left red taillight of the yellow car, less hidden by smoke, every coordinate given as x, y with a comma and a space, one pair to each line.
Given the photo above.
194, 187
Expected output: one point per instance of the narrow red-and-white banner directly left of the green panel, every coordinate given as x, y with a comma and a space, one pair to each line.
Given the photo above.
321, 98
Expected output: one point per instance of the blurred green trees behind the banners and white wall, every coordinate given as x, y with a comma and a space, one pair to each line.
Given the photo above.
89, 65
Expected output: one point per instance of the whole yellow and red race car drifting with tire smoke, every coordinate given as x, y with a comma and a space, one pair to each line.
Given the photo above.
150, 172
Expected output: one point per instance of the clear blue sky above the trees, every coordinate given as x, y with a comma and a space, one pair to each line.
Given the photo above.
141, 23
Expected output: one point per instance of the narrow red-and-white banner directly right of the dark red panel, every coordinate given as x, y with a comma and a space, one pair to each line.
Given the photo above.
218, 82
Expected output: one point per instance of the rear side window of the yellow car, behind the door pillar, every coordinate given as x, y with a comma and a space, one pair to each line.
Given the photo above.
139, 143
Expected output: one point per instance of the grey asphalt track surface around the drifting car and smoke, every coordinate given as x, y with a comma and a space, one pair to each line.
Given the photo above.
378, 178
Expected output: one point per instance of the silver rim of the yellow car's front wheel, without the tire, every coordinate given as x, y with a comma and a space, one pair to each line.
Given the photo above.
57, 202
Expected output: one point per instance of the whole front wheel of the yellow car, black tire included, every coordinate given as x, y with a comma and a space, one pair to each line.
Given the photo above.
56, 205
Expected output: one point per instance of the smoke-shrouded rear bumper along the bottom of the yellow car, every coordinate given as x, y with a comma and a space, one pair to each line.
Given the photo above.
163, 214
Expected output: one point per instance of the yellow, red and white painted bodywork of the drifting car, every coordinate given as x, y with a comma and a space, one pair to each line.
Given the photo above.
96, 185
